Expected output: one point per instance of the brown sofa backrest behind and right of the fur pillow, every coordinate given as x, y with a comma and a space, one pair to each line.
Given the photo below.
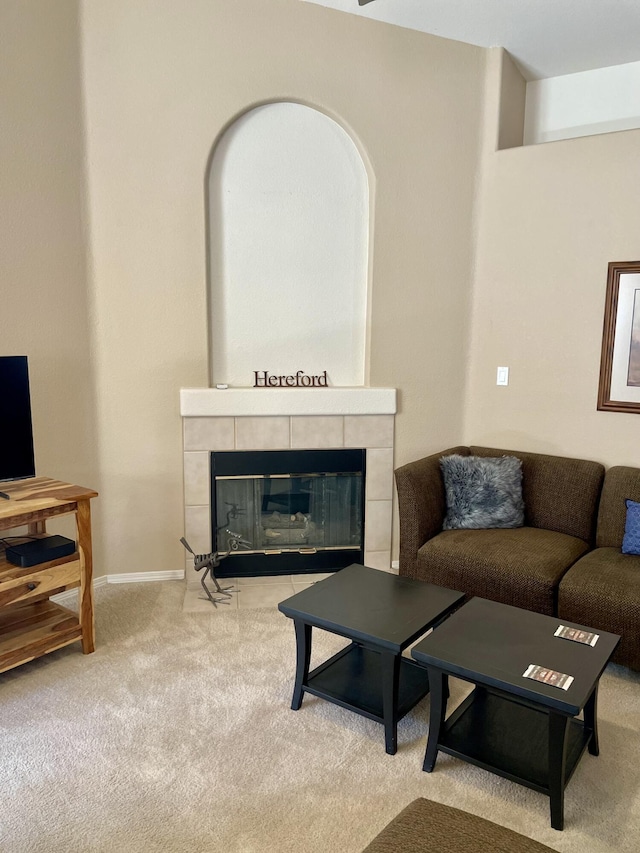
560, 493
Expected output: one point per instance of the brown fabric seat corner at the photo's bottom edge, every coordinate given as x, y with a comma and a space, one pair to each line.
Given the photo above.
428, 826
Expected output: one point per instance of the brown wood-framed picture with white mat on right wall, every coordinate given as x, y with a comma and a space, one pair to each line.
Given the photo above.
619, 386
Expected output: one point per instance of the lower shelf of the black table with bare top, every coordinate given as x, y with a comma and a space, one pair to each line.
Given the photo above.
353, 679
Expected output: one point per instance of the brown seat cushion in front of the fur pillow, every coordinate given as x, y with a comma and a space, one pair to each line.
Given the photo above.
520, 566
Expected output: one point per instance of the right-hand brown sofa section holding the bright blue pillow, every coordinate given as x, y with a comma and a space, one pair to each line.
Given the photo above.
602, 589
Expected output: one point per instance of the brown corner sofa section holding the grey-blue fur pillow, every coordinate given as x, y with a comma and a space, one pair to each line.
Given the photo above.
521, 566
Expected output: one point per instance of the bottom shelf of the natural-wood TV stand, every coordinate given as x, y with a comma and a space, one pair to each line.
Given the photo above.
37, 628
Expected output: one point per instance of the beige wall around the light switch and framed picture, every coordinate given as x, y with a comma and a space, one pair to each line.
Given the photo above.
551, 218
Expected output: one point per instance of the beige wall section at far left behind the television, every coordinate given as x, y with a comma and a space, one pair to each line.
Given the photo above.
44, 309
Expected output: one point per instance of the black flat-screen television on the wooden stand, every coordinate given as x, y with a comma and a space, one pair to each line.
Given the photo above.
16, 432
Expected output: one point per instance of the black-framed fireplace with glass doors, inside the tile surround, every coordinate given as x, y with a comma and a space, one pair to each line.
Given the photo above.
281, 512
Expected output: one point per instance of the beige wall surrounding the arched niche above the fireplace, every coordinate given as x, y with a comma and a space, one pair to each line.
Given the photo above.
162, 81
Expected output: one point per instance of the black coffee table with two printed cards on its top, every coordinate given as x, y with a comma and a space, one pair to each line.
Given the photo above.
520, 729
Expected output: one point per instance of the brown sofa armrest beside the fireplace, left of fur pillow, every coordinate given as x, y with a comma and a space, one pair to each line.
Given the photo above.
421, 505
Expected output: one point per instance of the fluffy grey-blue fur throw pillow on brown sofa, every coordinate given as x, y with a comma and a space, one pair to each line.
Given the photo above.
482, 491
